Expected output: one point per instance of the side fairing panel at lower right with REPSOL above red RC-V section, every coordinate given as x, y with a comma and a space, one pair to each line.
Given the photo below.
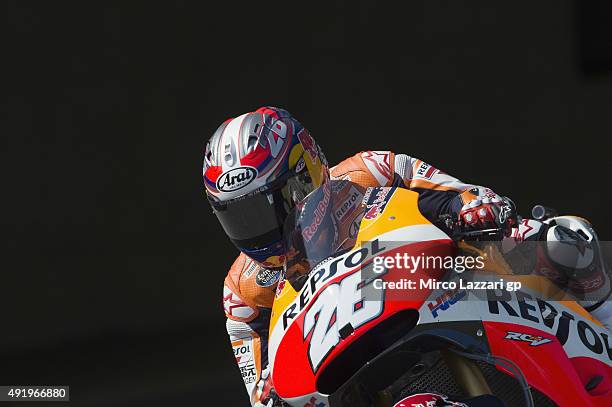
573, 344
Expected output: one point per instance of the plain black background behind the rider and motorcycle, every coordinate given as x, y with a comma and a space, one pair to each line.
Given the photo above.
113, 261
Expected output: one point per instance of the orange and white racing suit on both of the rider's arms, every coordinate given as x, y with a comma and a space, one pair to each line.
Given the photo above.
249, 289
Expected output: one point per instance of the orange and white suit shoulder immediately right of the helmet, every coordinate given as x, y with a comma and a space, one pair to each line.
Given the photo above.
367, 168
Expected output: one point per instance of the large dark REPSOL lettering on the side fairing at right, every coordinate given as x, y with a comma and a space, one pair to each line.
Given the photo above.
567, 327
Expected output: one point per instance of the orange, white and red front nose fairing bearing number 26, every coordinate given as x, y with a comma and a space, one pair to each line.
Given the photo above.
399, 228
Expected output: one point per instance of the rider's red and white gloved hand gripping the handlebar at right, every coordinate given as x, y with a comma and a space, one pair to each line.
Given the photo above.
486, 210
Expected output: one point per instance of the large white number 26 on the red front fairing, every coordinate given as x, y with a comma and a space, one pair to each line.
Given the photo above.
337, 306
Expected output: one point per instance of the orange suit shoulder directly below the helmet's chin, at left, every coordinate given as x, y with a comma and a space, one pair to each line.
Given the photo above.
247, 287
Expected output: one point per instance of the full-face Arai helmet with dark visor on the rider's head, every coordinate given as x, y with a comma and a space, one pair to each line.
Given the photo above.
257, 166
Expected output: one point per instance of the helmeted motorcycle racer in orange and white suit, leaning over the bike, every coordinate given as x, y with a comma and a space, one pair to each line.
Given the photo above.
257, 167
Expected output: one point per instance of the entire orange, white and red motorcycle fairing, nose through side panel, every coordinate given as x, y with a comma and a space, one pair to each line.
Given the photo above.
568, 333
